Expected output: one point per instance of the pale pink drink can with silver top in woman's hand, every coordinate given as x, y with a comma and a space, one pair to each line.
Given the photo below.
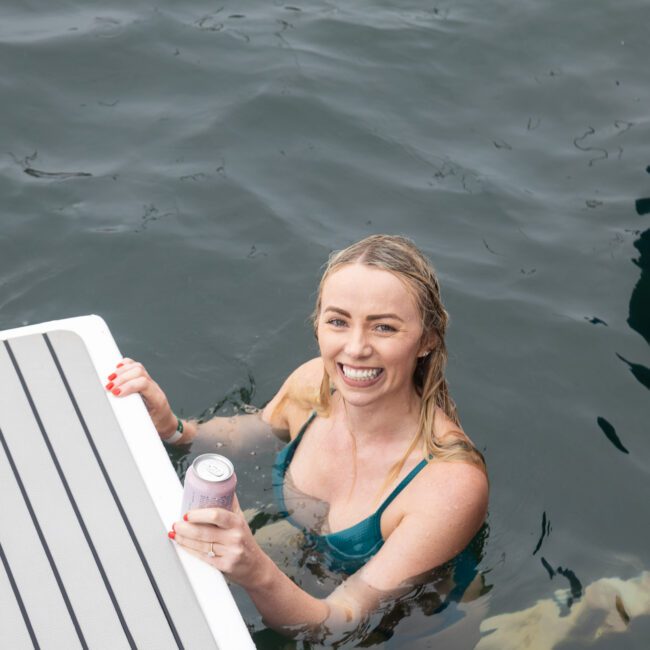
209, 483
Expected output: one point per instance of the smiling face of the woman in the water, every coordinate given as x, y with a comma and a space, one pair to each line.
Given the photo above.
370, 335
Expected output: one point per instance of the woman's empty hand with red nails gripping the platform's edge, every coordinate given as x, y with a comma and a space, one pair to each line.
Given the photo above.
131, 377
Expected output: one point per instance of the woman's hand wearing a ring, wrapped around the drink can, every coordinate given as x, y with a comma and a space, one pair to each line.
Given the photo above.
223, 539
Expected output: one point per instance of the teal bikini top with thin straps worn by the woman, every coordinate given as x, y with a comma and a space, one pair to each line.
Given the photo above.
349, 549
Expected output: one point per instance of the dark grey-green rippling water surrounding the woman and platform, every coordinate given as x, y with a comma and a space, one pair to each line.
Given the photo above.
184, 170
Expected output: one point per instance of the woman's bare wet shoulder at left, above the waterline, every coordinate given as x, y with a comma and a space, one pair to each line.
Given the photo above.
294, 401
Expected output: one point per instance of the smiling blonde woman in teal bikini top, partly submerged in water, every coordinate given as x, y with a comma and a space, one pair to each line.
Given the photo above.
375, 448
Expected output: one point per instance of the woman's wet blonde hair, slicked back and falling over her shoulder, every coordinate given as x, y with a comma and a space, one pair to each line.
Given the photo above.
401, 257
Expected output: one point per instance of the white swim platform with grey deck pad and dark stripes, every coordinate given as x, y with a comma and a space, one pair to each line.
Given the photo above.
87, 495
